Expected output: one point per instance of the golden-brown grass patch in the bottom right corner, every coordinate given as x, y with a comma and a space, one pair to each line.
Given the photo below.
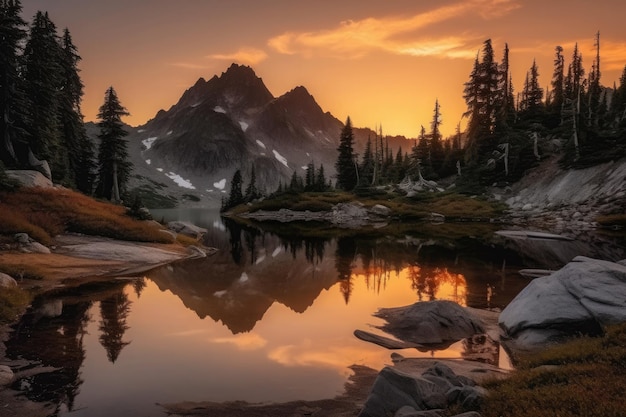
584, 377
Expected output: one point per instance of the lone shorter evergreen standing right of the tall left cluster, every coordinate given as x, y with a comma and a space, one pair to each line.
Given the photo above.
113, 165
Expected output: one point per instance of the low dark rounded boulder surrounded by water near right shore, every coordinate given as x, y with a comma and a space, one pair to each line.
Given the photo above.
431, 324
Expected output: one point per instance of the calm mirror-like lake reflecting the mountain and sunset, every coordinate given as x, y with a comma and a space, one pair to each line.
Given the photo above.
270, 317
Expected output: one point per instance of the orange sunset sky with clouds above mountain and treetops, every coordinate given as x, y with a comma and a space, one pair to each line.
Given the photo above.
377, 61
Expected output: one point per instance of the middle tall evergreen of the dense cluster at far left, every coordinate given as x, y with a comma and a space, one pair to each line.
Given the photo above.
42, 74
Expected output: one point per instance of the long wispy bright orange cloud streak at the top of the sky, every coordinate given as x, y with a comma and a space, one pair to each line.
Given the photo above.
354, 39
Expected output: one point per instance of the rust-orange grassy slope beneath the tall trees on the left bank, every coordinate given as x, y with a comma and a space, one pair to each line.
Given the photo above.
44, 213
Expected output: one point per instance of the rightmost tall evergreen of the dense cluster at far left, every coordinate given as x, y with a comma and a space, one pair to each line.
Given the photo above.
80, 149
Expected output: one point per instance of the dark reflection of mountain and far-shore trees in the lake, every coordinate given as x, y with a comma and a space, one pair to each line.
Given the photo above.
254, 269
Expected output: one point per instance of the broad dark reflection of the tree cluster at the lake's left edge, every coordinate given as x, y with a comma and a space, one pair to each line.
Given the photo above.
52, 341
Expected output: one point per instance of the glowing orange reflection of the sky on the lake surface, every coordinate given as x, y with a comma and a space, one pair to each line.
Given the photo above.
173, 355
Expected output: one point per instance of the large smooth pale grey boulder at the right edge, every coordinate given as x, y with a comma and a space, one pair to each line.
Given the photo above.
583, 296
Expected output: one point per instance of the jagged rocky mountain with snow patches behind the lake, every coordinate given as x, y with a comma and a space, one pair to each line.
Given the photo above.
188, 154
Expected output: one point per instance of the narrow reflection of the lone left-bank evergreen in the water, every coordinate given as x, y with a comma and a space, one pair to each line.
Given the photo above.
113, 312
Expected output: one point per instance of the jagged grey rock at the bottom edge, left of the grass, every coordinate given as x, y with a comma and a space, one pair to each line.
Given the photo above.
403, 394
